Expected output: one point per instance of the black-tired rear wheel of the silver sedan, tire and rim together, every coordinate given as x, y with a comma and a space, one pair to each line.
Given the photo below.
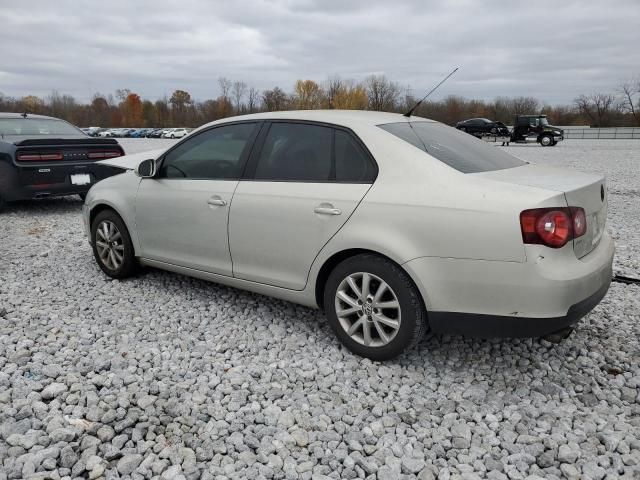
405, 323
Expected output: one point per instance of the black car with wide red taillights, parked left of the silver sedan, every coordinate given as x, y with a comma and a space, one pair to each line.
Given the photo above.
45, 156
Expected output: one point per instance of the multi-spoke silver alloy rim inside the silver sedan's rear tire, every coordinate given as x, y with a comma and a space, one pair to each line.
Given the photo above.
368, 309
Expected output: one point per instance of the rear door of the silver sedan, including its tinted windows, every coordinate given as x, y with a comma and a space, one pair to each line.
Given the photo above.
304, 183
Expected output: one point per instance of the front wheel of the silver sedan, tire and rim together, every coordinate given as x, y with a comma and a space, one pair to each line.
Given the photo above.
111, 265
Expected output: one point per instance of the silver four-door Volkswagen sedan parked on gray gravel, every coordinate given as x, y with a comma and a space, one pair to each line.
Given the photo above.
391, 224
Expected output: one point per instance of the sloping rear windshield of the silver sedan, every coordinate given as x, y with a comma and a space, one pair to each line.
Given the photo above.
459, 150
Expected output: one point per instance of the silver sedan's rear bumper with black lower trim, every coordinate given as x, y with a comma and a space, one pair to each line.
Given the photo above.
512, 299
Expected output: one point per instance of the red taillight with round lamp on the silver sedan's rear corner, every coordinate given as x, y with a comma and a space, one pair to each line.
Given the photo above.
552, 227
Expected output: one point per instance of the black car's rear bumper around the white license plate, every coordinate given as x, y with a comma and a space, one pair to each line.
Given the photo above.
24, 182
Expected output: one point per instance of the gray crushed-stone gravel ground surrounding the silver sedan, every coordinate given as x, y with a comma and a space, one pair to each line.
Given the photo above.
165, 376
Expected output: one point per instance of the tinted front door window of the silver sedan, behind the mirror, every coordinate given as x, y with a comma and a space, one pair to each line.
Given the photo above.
216, 154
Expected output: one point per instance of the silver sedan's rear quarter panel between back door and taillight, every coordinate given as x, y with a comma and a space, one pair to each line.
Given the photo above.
419, 207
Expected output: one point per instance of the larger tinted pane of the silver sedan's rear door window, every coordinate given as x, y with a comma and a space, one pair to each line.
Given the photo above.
295, 152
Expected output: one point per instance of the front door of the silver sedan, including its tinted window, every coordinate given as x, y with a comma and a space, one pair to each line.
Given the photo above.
182, 213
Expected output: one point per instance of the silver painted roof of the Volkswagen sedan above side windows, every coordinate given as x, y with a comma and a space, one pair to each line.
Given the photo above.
345, 118
